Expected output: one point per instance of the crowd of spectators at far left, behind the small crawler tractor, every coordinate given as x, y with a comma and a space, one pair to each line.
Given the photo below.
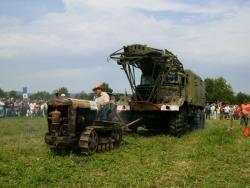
10, 107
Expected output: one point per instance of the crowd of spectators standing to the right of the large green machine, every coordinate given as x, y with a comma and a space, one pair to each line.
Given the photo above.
221, 111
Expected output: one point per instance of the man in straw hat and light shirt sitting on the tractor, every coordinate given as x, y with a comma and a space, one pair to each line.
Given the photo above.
102, 100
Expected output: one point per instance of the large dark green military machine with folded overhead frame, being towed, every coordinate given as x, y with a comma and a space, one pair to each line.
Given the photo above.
167, 97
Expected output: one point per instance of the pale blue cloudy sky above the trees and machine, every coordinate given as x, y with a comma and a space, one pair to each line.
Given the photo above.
47, 44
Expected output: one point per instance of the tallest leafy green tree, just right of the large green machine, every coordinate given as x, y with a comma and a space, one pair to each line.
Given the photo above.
219, 90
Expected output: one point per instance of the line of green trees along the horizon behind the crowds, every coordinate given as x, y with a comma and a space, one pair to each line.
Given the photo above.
217, 89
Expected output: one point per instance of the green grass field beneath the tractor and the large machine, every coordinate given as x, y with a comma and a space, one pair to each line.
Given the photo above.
202, 158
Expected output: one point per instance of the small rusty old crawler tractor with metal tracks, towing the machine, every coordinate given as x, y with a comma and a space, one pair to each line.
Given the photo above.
72, 124
